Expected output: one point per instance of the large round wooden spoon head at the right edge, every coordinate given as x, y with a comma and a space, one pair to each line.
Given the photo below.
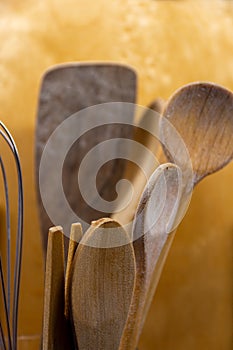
203, 115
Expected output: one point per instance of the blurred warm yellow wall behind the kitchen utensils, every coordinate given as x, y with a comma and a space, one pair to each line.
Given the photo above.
170, 43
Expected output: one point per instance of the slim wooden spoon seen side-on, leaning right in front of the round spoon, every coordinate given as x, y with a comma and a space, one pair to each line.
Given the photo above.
153, 221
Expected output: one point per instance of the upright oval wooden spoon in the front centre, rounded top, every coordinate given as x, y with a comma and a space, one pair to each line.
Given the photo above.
102, 285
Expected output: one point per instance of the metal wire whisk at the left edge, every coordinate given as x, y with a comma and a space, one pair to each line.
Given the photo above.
9, 319
